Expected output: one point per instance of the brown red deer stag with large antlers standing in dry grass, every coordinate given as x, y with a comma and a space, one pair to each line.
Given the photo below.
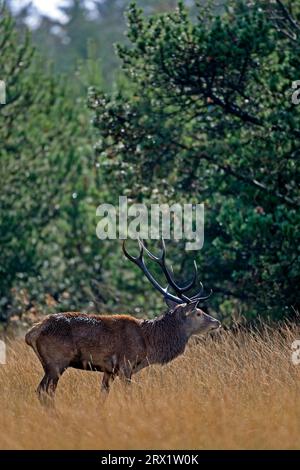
119, 345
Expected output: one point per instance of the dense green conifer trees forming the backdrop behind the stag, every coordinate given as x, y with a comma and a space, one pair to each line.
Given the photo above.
196, 106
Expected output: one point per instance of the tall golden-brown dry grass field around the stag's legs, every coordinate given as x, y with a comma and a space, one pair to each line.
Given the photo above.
237, 391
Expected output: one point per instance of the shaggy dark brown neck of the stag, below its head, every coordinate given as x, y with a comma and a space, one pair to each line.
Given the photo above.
165, 338
